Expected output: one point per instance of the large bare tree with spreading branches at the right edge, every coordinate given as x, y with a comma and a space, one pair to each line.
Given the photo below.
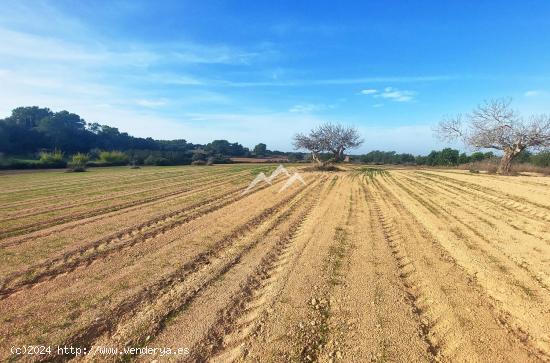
495, 125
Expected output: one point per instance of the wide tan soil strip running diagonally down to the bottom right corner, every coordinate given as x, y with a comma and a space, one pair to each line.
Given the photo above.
448, 281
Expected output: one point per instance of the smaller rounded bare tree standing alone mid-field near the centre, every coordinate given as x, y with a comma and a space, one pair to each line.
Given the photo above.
328, 137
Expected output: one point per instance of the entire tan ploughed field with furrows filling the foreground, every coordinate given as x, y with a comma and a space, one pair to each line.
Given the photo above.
360, 265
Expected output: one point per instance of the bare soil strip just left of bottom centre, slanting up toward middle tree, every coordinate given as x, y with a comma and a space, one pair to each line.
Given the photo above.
290, 326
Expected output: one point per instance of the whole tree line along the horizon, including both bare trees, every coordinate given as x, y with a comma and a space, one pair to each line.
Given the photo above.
38, 137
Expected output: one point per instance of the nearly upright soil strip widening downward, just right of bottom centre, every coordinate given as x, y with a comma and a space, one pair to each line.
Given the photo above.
372, 317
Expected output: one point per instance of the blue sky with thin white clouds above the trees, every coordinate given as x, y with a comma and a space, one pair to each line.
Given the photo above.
253, 71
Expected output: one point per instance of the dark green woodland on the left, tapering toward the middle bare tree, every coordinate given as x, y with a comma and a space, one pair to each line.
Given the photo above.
31, 133
